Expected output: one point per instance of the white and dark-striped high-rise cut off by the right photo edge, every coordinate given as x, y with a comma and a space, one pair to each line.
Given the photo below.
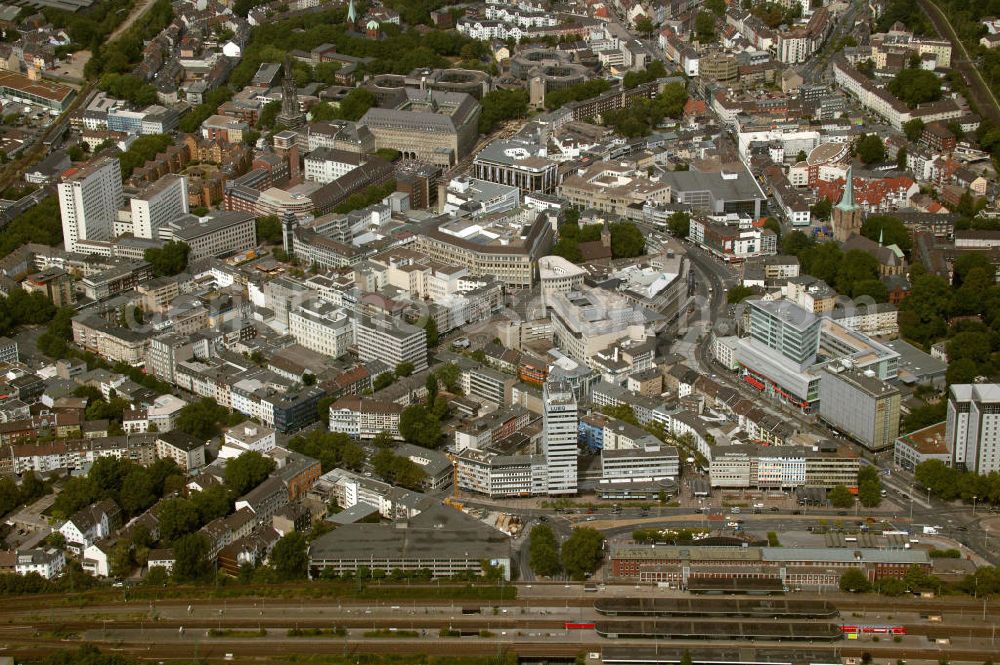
972, 430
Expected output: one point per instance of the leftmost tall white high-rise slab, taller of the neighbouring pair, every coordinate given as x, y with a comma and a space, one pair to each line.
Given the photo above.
89, 199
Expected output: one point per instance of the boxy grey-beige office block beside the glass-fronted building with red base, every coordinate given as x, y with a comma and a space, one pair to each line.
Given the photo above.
861, 405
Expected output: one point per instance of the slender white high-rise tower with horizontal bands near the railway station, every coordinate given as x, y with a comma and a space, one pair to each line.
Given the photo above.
560, 437
